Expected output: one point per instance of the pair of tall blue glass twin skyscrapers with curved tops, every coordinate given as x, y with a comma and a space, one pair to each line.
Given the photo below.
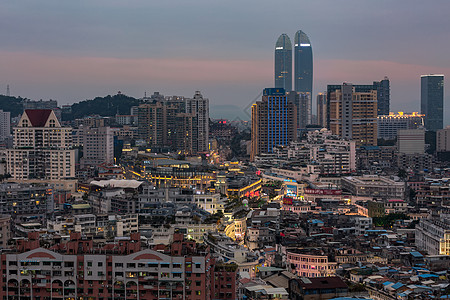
303, 69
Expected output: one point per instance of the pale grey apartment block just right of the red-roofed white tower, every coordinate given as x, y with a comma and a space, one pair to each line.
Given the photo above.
98, 146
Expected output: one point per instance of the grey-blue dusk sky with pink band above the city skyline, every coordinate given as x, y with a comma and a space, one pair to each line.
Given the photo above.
75, 50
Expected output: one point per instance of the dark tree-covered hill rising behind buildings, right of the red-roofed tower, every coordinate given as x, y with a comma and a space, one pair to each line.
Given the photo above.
103, 106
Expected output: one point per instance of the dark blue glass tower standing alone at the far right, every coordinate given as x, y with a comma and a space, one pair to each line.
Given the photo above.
432, 101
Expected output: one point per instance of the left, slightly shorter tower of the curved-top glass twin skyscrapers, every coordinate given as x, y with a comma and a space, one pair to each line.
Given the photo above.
283, 63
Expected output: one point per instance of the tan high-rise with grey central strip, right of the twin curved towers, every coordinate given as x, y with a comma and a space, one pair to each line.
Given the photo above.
353, 115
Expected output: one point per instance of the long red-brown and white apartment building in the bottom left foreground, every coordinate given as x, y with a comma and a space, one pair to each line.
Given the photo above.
78, 269
